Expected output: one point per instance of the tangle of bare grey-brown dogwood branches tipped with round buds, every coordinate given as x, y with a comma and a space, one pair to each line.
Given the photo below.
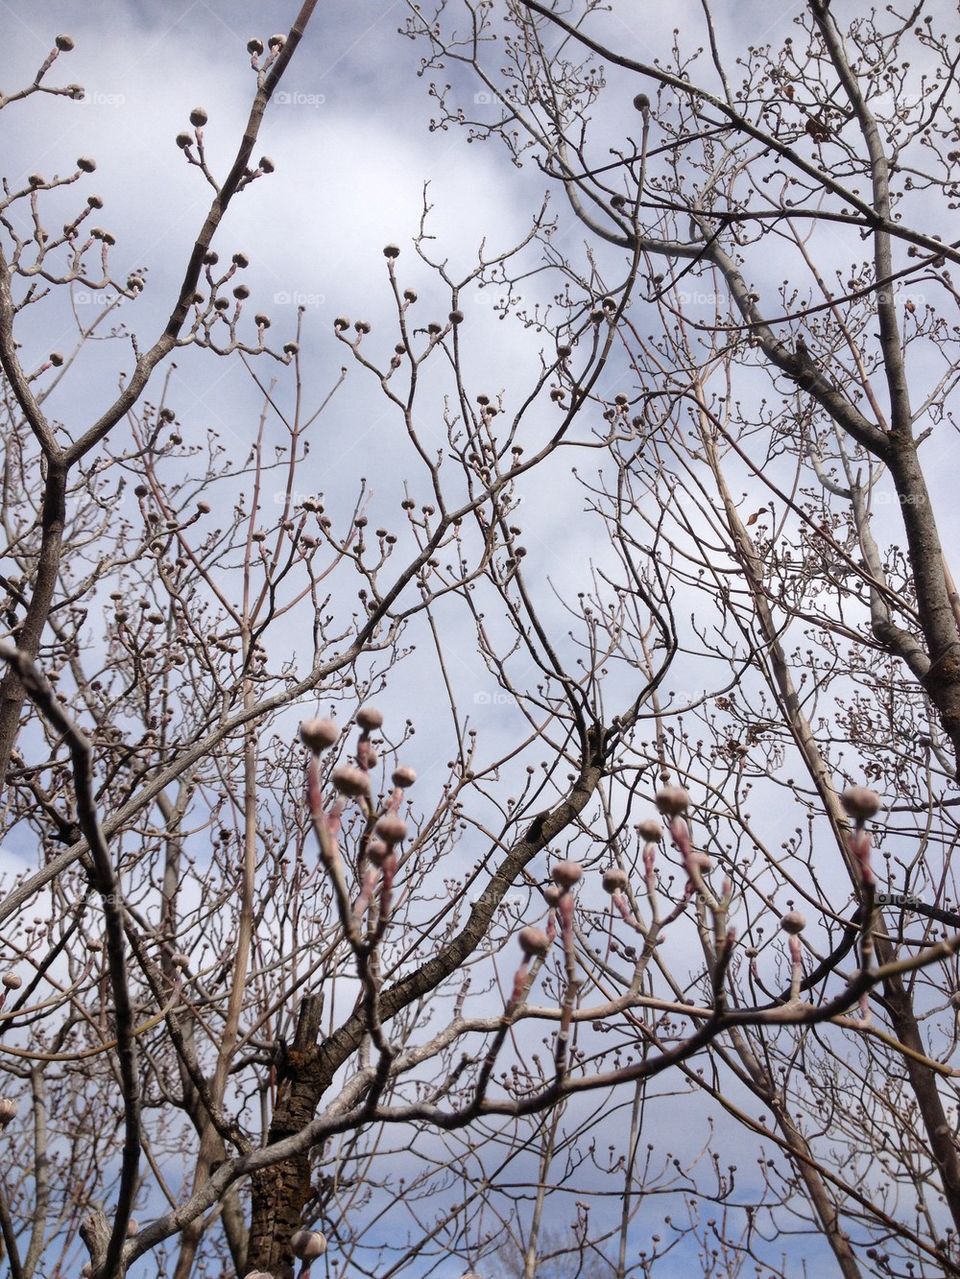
444, 1000
